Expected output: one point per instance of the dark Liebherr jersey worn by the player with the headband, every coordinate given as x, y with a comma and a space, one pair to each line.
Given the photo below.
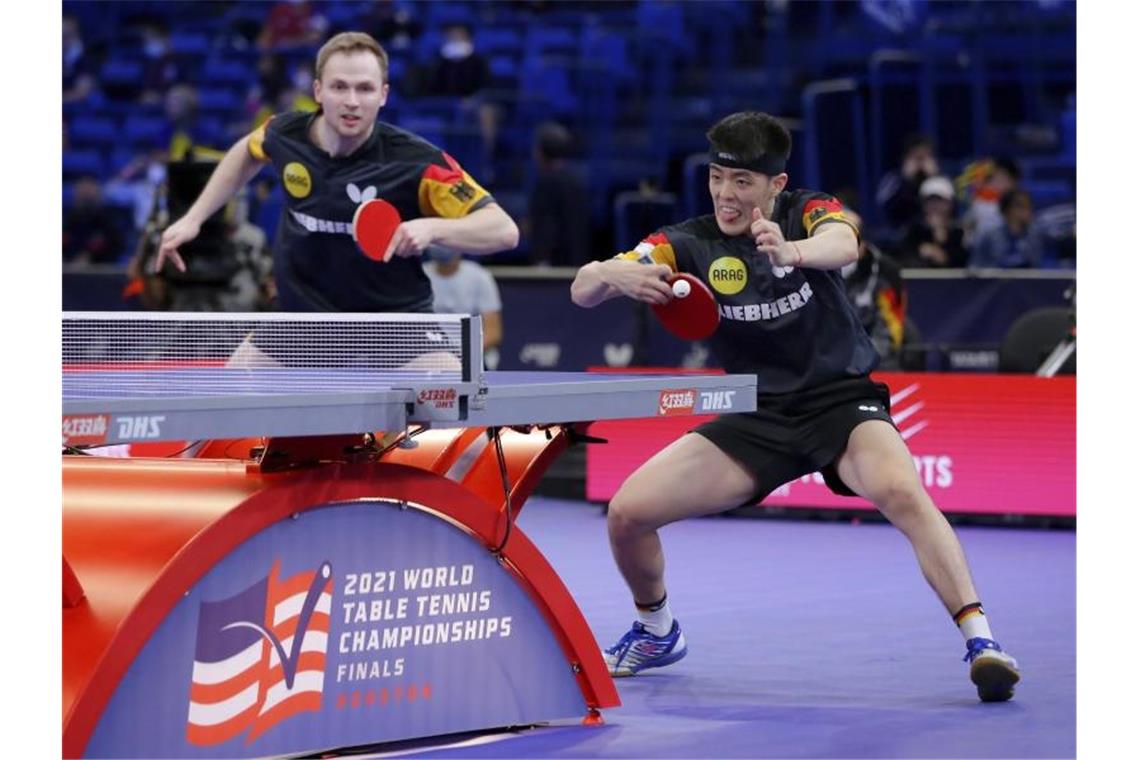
794, 329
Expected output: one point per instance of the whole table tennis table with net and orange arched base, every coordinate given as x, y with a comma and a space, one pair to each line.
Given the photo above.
226, 604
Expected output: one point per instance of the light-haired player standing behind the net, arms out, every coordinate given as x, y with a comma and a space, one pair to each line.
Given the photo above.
332, 161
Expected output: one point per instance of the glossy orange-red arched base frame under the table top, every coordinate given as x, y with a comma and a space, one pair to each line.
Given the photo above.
140, 532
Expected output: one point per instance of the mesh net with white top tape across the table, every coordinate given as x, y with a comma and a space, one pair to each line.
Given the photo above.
126, 355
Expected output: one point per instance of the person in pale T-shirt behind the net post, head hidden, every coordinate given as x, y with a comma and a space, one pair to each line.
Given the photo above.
466, 288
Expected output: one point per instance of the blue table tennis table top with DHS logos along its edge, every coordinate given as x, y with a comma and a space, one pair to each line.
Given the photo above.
127, 406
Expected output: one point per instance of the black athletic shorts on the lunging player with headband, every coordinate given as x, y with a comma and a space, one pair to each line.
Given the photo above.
793, 435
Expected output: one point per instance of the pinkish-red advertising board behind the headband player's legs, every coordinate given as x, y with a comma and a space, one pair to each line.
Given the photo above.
982, 444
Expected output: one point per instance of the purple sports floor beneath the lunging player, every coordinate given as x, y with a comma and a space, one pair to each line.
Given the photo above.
811, 640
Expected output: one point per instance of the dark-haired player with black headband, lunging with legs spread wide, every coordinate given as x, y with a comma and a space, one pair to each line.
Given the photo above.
772, 257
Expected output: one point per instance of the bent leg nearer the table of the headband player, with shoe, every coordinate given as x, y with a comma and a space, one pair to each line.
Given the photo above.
688, 479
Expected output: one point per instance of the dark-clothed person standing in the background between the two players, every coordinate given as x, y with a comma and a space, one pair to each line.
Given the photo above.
559, 216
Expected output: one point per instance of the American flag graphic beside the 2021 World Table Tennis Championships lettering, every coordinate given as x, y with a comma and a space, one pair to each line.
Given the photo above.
260, 657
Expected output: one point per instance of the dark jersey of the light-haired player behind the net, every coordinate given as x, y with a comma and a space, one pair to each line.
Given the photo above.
317, 265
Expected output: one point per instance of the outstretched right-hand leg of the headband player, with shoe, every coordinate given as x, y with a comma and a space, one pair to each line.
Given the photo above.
878, 467
